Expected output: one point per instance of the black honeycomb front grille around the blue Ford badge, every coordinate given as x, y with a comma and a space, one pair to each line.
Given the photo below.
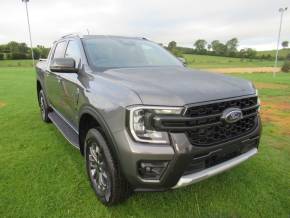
210, 130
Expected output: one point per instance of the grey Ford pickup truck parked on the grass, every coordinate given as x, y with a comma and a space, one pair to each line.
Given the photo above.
142, 120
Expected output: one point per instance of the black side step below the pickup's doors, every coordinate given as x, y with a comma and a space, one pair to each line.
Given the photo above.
68, 132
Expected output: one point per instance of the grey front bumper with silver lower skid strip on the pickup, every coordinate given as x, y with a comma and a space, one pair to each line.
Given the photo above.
180, 155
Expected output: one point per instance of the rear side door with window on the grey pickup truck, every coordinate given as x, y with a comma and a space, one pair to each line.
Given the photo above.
53, 79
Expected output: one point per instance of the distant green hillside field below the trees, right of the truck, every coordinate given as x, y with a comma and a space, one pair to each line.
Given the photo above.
205, 61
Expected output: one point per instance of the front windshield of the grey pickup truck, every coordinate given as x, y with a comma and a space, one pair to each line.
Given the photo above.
116, 52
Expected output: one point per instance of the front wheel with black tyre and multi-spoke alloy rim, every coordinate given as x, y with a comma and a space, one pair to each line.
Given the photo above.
103, 172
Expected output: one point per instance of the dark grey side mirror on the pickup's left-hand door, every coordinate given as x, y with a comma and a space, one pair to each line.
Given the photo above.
63, 65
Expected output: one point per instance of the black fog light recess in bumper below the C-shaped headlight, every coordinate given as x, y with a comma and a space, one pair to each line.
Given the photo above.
152, 169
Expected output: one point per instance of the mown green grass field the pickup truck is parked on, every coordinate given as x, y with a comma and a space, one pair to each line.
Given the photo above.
42, 175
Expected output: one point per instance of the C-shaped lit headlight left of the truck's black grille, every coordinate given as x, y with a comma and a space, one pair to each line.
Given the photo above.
140, 123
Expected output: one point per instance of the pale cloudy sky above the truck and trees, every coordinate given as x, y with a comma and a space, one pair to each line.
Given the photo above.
254, 22
